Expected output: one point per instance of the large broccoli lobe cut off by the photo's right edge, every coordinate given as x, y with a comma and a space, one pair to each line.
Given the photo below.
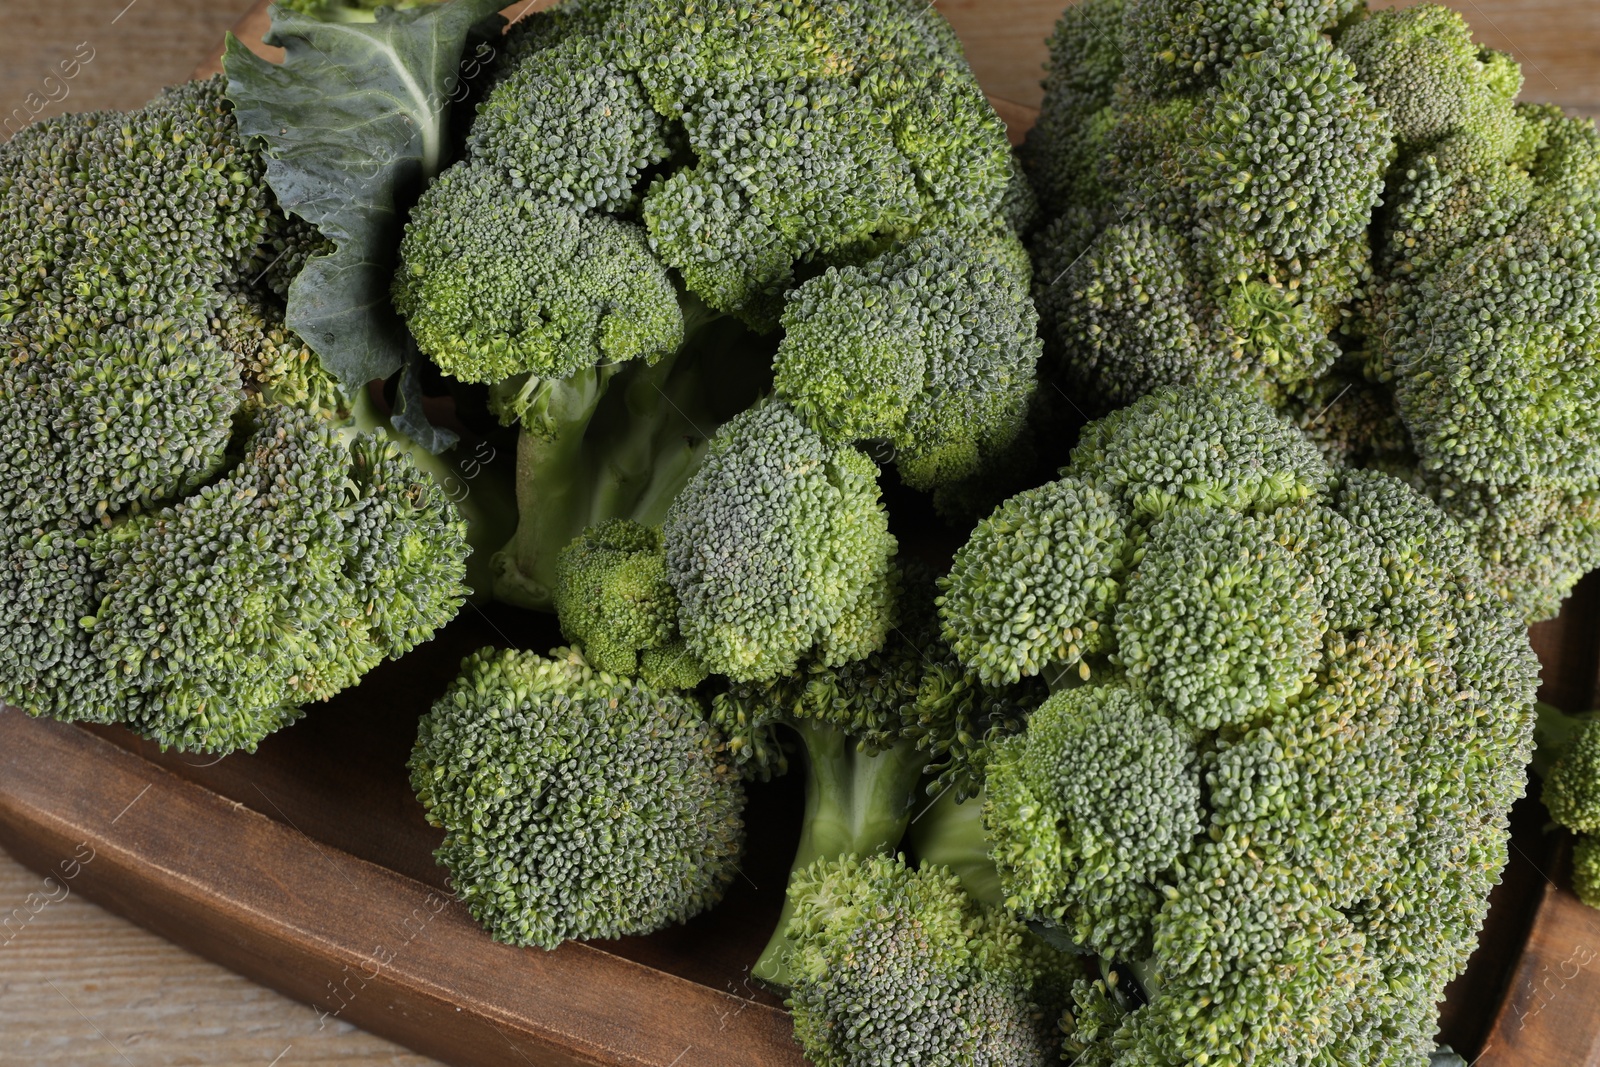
1482, 332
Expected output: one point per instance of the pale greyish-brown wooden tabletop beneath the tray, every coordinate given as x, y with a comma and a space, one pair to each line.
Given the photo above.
81, 986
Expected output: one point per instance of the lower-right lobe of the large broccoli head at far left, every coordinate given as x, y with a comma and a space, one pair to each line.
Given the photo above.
318, 559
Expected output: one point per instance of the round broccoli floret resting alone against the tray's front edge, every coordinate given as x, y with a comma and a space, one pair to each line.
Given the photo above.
577, 804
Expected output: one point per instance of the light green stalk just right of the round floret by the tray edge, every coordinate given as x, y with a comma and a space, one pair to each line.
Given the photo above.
855, 805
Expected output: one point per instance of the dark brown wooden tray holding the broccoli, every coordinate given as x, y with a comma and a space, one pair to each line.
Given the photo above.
308, 866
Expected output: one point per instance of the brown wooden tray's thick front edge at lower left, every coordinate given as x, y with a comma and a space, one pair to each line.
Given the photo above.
354, 940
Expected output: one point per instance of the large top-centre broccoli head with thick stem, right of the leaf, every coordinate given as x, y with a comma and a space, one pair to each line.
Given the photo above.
642, 186
